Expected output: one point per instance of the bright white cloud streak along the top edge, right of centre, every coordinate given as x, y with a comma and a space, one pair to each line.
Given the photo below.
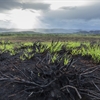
56, 4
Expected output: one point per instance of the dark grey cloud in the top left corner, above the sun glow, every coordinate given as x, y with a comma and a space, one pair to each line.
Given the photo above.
16, 4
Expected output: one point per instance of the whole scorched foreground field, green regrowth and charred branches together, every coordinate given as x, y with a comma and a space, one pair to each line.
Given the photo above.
50, 71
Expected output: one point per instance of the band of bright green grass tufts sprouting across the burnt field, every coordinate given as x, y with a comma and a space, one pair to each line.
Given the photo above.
29, 49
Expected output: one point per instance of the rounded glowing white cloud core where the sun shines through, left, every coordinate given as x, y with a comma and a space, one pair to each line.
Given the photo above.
25, 19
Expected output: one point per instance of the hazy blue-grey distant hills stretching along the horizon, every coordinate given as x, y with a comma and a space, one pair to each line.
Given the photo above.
3, 30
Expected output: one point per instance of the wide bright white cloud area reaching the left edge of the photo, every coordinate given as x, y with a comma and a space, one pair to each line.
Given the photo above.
23, 19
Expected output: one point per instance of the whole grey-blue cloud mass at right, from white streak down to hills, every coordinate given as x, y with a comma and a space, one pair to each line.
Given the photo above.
83, 17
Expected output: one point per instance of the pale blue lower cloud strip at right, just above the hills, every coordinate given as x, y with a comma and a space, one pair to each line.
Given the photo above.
74, 24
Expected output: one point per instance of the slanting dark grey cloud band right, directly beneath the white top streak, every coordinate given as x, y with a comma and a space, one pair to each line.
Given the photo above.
84, 12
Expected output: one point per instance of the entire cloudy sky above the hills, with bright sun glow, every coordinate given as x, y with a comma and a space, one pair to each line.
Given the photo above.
64, 14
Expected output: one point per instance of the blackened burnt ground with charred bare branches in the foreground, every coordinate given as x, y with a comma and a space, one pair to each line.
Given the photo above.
35, 80
